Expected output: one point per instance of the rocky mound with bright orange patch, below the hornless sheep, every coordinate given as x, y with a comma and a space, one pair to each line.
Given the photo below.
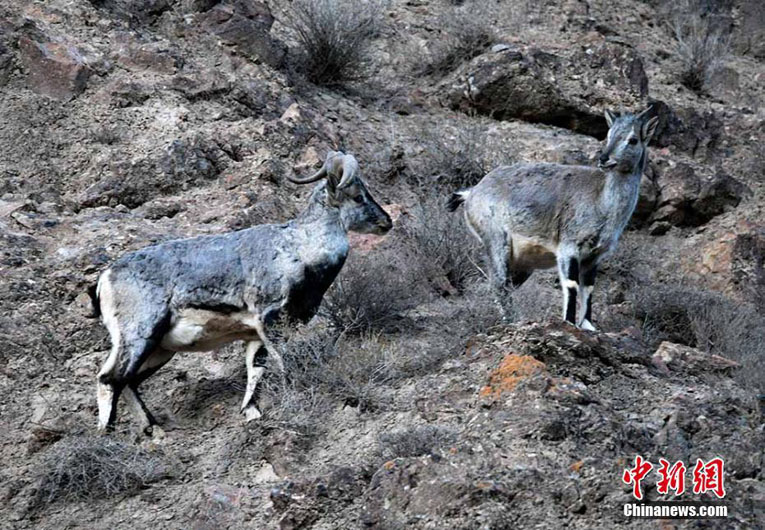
556, 421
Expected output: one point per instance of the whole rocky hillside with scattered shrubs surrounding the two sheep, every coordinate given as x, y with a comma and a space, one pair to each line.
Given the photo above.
407, 404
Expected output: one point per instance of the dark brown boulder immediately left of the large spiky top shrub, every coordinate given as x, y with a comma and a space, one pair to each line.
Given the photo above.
245, 25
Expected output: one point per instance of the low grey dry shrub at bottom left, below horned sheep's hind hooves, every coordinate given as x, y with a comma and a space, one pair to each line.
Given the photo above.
90, 468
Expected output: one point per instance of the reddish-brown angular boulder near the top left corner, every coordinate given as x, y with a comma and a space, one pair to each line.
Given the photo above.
54, 69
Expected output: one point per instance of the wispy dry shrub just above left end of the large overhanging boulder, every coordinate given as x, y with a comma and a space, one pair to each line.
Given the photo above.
467, 30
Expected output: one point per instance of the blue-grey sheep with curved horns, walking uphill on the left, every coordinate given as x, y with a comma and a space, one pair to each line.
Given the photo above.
199, 293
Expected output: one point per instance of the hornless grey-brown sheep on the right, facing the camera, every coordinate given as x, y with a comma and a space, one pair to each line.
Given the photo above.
536, 216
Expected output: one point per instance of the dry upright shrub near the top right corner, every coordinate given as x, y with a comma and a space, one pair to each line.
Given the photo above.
701, 44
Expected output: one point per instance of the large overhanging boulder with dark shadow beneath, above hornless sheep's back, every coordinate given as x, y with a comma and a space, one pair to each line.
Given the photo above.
538, 86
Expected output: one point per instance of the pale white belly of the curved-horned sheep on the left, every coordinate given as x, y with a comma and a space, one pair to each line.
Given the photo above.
202, 330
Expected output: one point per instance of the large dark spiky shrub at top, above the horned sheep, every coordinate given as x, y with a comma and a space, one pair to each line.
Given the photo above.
334, 37
